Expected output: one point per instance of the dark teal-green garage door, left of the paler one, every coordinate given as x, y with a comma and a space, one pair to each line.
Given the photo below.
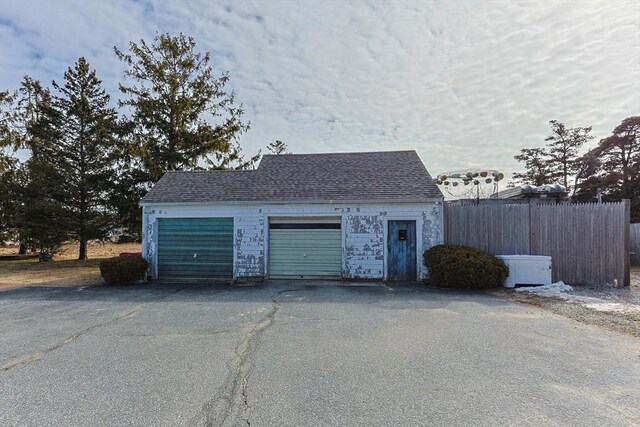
195, 248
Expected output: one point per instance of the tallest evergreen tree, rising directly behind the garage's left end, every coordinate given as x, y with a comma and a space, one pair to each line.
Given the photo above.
182, 115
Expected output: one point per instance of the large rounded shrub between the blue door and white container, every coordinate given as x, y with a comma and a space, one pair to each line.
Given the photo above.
461, 267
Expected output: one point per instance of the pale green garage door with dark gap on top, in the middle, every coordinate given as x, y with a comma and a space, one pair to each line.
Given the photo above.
305, 248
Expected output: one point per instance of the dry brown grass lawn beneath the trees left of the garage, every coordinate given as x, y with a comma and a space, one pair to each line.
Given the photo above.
64, 270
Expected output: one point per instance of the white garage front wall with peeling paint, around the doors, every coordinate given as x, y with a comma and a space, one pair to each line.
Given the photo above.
364, 232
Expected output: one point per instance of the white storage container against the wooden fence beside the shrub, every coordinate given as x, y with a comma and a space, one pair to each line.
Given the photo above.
527, 270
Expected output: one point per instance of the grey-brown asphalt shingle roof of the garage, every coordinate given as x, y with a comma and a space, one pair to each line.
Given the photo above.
387, 175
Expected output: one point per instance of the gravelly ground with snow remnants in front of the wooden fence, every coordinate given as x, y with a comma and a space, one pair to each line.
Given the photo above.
616, 309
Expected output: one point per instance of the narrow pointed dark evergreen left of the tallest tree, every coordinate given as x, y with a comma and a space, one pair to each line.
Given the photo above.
77, 152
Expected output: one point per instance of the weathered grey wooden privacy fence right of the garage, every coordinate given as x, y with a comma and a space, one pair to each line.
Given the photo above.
588, 243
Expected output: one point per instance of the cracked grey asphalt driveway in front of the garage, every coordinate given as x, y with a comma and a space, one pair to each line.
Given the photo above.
304, 354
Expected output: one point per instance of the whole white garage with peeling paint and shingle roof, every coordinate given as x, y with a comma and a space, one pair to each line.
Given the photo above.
305, 216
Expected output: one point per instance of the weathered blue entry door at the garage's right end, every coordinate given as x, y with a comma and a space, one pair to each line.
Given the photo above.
401, 250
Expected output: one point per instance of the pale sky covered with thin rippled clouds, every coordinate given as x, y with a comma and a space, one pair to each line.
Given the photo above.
464, 83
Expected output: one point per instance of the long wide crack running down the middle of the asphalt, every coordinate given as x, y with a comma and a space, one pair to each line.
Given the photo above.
230, 405
